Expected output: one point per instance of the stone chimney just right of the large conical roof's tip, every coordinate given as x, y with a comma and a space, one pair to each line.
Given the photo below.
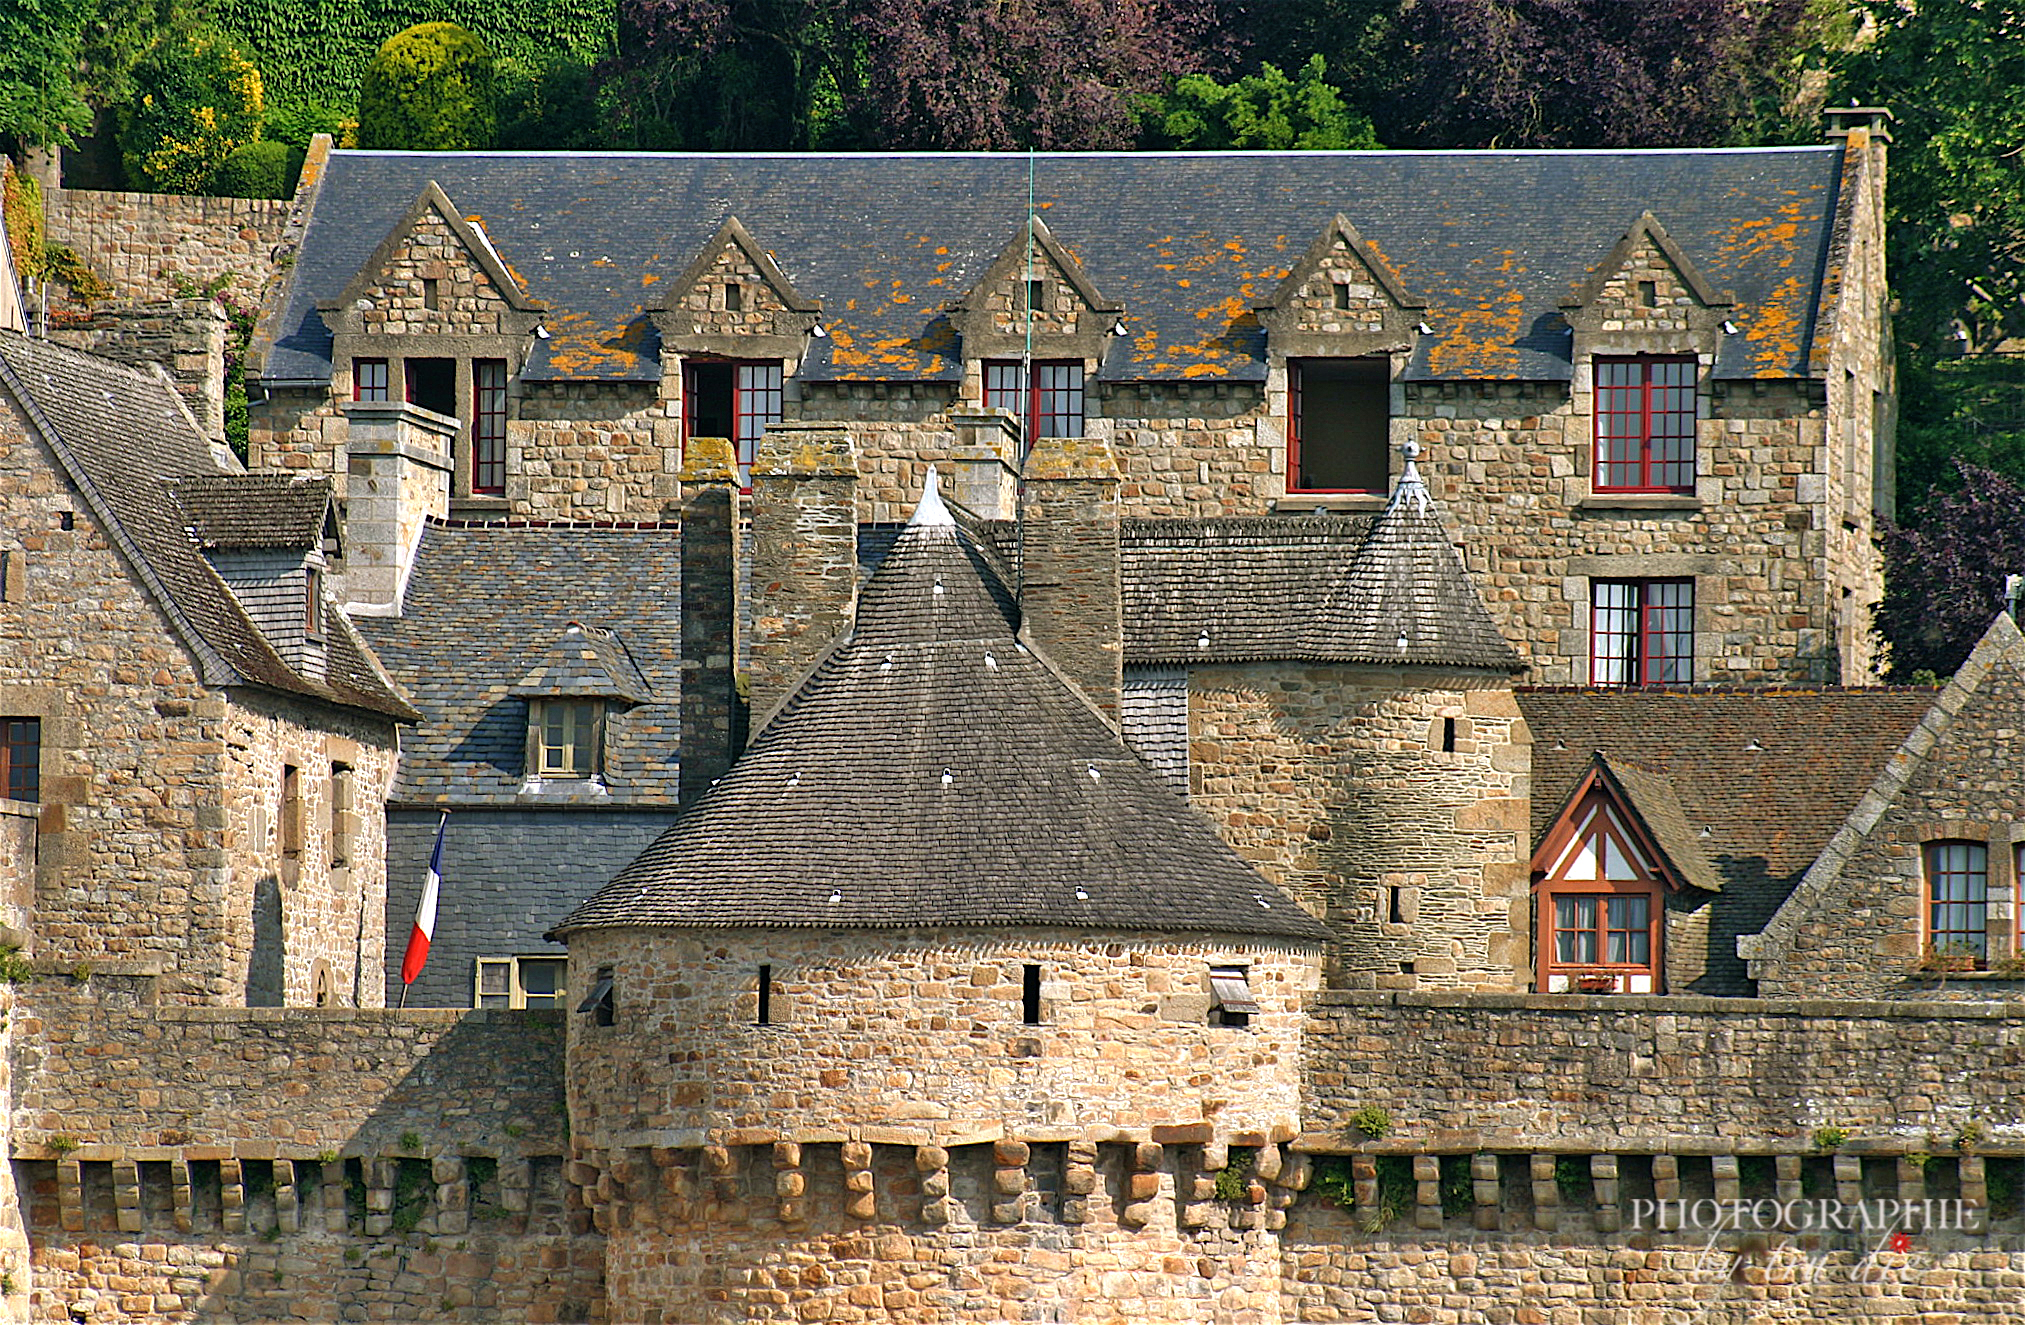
1070, 595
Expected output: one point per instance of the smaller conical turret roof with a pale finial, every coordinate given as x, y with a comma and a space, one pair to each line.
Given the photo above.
1406, 599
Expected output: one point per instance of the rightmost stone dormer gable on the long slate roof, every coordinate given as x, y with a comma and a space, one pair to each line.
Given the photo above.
1647, 299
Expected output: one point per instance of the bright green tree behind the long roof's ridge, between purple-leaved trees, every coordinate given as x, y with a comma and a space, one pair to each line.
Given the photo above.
1265, 110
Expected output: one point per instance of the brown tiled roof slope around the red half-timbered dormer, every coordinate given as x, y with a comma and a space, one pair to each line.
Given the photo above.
1769, 773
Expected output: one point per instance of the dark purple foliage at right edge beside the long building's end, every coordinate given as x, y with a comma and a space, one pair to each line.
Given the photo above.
1945, 578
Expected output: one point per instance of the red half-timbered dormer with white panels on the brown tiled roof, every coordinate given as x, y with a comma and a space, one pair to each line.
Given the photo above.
1603, 878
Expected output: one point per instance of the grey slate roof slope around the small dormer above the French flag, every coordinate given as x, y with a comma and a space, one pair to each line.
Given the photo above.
485, 607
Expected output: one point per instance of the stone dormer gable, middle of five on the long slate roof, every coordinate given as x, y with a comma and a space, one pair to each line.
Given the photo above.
1036, 281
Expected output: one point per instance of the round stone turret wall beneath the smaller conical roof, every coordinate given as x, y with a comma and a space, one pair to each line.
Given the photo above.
1335, 785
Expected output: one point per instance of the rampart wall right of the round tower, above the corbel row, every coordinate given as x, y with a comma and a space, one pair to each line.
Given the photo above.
1572, 1073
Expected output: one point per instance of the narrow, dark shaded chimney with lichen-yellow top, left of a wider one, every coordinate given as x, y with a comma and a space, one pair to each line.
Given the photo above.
710, 613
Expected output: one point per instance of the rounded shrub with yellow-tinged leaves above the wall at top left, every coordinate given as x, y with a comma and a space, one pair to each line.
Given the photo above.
197, 100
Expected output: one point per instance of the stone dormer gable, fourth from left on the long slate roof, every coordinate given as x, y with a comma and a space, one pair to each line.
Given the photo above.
1342, 301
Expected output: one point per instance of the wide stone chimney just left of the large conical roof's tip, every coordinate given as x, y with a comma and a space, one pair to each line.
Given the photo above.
805, 554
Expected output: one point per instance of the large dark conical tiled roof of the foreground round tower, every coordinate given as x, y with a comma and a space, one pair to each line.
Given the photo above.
935, 771
